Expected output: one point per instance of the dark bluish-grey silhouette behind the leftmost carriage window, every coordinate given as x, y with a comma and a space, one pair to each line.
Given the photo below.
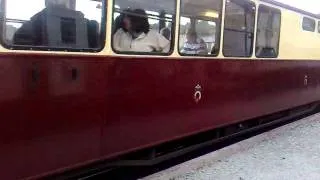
58, 25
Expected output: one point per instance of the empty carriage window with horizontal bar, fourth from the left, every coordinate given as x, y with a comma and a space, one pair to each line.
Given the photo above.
239, 28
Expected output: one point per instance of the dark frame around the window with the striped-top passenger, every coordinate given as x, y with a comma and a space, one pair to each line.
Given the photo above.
219, 35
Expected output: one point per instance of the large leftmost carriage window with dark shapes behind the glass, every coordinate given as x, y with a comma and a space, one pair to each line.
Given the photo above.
74, 25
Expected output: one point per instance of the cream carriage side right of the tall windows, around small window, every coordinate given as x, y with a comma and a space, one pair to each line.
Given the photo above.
296, 43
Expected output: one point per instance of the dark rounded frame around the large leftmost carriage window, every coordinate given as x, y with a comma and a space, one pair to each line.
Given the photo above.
102, 37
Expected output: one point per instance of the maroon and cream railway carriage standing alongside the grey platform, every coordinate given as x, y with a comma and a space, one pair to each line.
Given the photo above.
68, 100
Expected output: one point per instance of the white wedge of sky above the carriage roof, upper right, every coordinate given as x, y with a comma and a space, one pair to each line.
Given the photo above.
312, 6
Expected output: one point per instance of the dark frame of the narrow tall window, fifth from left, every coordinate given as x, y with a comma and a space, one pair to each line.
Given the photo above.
272, 9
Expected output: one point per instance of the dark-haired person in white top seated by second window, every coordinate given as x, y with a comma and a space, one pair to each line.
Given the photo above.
139, 37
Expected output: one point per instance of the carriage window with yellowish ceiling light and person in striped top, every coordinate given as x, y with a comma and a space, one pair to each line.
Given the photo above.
200, 27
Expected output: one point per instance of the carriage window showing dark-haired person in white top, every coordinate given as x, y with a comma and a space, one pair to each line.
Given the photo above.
143, 26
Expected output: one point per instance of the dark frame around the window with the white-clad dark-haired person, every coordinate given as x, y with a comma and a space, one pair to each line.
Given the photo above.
172, 42
